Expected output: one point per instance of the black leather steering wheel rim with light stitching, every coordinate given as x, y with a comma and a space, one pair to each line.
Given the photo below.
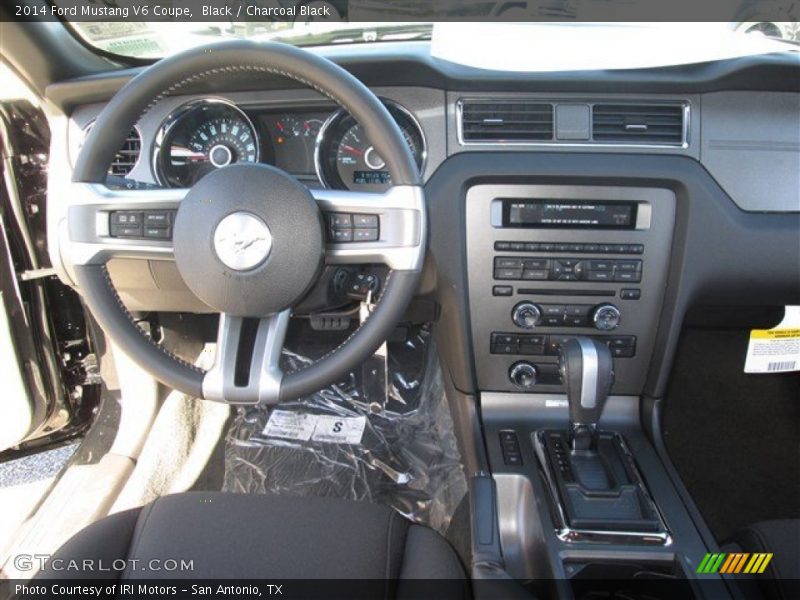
237, 57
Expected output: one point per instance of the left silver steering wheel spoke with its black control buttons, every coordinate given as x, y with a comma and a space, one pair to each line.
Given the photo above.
94, 233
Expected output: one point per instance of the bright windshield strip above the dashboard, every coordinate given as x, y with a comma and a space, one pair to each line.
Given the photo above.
150, 40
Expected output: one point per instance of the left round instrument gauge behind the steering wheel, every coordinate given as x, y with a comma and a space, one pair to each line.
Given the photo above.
202, 136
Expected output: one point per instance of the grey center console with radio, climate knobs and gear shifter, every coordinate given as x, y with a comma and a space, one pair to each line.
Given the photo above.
566, 285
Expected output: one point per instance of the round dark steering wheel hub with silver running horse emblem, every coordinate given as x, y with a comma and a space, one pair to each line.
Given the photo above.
248, 240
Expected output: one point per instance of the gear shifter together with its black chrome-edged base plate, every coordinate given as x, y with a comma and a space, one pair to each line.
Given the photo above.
594, 482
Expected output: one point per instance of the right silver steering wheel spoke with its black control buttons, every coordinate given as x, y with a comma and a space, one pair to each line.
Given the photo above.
391, 225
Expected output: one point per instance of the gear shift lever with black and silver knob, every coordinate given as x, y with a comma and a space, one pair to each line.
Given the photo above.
587, 370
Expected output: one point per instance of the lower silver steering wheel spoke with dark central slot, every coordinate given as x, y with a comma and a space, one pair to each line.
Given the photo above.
246, 367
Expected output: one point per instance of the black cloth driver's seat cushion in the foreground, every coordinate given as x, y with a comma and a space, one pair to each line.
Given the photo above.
236, 536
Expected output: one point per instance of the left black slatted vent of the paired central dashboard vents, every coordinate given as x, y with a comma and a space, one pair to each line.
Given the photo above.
506, 121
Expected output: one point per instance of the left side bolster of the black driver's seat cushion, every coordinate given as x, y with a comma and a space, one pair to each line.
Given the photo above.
105, 541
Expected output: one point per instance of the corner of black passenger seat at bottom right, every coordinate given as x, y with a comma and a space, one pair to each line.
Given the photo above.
781, 580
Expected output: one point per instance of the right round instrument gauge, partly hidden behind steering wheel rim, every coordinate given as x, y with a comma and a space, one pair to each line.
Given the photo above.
346, 159
